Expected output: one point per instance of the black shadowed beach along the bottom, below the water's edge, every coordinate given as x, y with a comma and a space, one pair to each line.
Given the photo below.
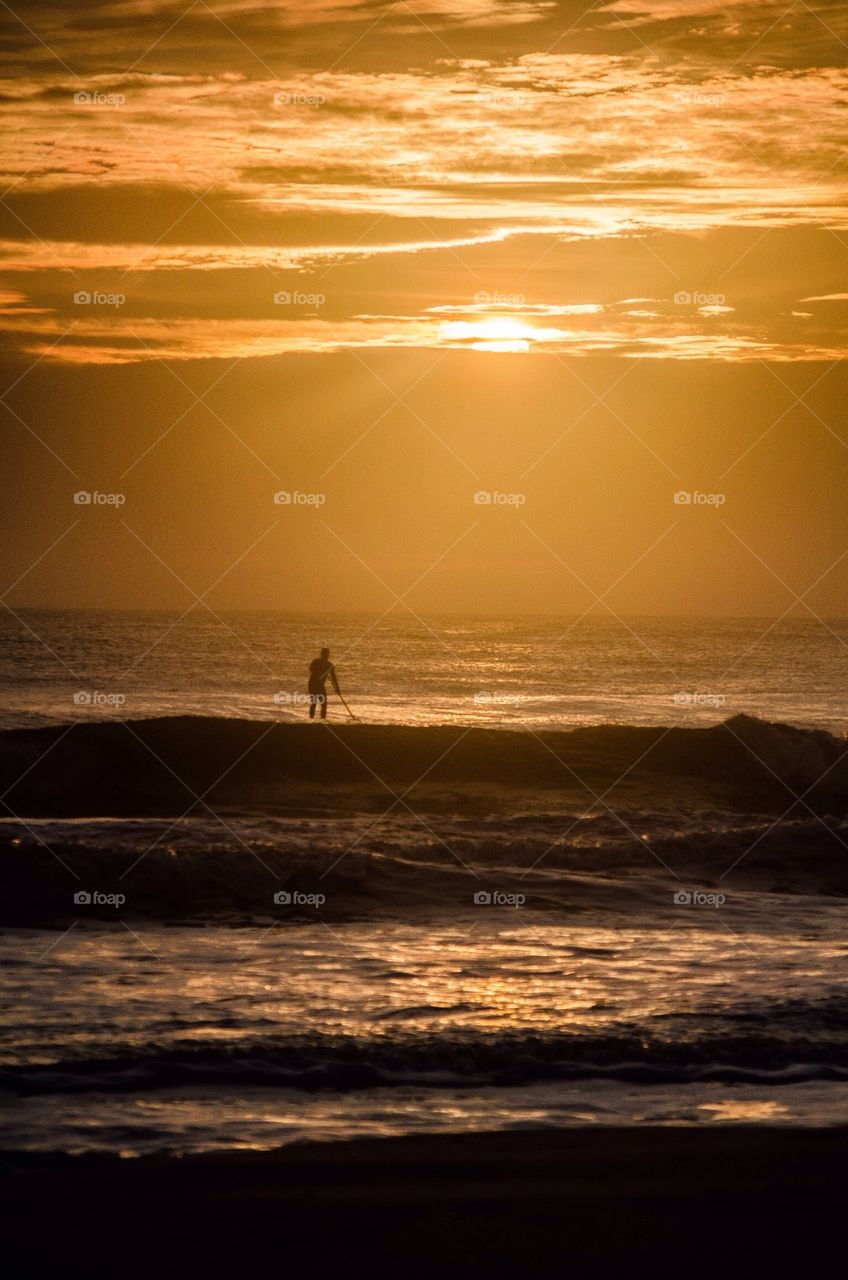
580, 1203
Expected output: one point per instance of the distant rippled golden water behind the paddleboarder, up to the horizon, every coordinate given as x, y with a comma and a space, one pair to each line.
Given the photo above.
490, 671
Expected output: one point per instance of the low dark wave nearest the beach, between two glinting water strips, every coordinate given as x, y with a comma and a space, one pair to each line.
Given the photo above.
809, 1050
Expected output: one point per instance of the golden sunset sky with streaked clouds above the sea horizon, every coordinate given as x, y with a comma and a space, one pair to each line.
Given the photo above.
587, 257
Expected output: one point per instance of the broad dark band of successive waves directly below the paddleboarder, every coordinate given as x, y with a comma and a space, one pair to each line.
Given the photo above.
186, 819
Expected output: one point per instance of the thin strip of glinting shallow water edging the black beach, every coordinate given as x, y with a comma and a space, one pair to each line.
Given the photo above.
197, 1121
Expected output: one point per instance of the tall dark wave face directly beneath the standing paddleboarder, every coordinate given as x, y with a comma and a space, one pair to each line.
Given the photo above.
152, 766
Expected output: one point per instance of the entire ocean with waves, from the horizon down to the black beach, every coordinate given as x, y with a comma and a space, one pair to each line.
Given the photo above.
559, 872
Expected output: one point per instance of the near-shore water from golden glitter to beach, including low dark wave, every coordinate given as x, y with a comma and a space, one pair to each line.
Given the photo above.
181, 1039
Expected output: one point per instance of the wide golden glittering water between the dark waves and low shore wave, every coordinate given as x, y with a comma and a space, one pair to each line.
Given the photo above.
103, 988
